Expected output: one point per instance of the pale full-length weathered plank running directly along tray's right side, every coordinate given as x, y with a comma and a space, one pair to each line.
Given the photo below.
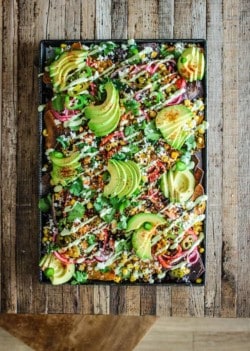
215, 159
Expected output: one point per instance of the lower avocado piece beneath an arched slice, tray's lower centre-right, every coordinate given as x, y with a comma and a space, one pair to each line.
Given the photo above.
141, 241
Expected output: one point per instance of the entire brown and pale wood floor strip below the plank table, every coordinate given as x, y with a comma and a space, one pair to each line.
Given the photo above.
81, 333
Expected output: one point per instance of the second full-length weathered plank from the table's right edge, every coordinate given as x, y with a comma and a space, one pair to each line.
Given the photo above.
230, 158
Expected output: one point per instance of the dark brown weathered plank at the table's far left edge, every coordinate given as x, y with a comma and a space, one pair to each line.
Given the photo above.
8, 156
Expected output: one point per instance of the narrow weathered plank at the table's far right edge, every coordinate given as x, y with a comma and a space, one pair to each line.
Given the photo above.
243, 204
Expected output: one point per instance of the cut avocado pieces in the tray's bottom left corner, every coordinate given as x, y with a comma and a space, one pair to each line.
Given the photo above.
61, 273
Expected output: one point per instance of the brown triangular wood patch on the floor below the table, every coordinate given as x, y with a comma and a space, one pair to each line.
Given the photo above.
77, 333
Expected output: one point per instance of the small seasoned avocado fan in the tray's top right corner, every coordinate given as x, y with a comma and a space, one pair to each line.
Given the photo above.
191, 64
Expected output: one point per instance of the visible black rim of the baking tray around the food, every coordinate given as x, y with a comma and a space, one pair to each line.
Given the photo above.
45, 48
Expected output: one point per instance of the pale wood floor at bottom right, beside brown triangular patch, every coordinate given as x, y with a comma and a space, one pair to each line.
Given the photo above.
197, 334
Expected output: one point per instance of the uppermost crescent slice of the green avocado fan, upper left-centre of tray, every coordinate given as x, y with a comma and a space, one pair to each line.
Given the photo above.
112, 98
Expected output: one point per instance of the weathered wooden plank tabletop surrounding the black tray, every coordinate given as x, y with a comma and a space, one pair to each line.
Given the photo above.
226, 26
